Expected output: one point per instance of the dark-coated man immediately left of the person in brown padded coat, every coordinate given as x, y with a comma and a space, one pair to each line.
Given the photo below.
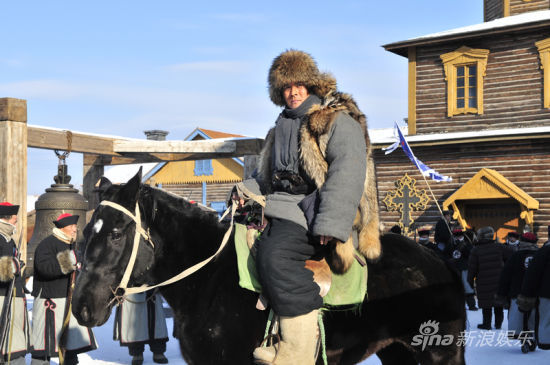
459, 255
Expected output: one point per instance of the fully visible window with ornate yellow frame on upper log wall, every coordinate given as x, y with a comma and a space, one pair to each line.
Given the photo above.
464, 72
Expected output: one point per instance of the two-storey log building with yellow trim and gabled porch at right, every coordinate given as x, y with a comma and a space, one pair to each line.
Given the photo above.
479, 111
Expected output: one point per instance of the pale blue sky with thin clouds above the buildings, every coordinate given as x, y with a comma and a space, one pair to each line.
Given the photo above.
122, 67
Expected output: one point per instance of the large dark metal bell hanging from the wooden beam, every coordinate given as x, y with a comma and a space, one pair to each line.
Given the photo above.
59, 198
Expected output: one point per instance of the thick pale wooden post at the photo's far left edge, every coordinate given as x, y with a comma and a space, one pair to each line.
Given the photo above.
13, 161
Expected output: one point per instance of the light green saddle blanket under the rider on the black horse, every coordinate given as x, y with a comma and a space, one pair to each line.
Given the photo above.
345, 290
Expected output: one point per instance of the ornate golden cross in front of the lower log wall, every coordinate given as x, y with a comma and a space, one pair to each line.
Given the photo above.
405, 199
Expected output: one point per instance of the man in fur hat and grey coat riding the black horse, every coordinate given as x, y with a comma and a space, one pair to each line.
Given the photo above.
317, 175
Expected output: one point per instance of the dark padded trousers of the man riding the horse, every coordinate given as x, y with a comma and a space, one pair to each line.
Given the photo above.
282, 250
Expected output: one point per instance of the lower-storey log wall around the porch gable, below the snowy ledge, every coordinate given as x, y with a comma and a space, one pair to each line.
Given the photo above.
523, 162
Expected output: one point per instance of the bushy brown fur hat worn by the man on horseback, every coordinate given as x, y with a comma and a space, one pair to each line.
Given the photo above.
294, 66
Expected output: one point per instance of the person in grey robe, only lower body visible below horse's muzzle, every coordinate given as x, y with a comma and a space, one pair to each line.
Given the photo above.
140, 320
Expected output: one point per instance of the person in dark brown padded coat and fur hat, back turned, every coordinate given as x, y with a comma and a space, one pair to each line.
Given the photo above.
484, 267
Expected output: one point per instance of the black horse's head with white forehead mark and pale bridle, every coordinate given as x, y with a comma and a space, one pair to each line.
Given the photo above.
109, 244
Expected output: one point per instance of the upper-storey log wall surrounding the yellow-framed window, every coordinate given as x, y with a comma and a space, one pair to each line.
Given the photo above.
513, 95
